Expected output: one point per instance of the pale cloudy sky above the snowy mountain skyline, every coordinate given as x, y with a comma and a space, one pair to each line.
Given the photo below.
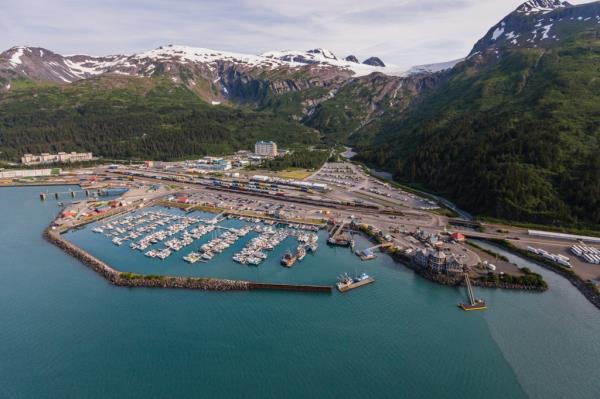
402, 32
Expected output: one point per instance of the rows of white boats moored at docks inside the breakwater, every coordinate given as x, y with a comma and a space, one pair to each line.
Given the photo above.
160, 233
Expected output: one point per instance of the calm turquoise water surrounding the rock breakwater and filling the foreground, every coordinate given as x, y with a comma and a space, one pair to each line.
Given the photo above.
65, 332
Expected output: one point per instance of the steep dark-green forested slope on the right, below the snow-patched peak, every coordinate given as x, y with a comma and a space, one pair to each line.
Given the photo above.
514, 134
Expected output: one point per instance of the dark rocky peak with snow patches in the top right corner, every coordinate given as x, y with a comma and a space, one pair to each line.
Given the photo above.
538, 23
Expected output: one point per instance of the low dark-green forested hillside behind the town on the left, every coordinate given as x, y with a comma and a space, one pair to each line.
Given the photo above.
132, 117
